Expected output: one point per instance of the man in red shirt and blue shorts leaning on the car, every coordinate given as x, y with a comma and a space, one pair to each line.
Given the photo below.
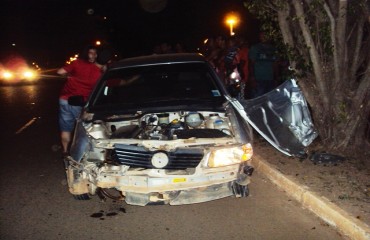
83, 74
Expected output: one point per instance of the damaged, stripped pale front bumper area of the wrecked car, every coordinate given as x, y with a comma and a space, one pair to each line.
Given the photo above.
155, 187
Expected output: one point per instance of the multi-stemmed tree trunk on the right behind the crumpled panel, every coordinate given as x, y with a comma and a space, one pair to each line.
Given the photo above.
333, 39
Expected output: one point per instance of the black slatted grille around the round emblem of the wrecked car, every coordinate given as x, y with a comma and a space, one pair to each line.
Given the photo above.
135, 156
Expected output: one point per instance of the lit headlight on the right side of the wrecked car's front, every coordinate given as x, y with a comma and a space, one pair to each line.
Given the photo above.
229, 156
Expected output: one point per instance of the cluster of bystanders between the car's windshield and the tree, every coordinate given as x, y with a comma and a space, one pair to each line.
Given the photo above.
256, 66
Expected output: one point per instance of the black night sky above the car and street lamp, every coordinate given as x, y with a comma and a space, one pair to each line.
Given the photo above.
50, 31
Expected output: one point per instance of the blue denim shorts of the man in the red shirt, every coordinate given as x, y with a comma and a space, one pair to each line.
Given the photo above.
67, 115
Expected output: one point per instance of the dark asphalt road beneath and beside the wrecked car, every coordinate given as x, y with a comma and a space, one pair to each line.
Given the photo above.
35, 203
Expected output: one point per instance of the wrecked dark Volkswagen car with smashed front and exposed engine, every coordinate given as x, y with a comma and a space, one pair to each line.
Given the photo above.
163, 129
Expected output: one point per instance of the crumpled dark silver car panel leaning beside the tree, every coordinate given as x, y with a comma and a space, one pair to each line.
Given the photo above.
282, 117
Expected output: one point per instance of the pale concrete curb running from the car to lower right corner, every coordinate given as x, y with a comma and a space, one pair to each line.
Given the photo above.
321, 206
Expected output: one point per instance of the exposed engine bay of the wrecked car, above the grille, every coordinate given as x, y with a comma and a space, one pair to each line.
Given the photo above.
163, 126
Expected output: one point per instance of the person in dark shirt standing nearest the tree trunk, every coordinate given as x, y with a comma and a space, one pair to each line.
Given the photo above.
262, 67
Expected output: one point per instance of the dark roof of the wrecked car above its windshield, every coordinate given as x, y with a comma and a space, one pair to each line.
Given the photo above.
158, 59
